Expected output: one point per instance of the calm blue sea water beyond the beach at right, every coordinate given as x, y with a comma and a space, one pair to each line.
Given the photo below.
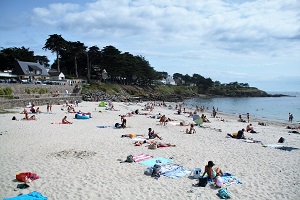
270, 108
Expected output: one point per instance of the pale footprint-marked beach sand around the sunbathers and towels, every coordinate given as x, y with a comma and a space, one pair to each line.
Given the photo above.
80, 160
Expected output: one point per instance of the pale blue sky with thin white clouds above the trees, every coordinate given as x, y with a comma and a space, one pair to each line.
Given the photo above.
248, 41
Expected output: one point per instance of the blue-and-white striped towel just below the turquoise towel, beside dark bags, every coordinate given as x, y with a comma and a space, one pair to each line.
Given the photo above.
172, 170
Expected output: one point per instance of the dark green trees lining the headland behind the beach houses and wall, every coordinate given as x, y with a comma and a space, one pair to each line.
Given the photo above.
76, 60
